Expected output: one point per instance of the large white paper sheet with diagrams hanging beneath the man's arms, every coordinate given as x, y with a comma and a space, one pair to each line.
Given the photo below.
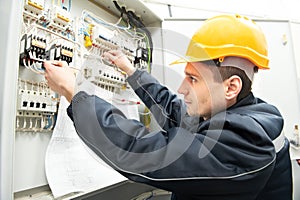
70, 165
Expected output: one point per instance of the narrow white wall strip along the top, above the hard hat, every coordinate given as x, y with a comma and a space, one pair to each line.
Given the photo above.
268, 9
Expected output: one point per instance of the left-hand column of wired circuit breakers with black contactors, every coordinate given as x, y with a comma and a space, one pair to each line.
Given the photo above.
46, 35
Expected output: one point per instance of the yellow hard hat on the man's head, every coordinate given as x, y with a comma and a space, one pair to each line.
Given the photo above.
228, 35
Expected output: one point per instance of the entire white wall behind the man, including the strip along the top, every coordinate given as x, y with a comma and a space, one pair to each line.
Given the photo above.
285, 16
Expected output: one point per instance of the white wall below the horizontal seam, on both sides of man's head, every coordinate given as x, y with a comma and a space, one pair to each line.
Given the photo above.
278, 86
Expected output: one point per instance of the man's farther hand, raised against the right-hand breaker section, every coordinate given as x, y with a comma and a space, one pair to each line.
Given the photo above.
120, 60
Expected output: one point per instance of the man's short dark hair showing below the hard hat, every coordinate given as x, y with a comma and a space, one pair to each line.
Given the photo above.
225, 72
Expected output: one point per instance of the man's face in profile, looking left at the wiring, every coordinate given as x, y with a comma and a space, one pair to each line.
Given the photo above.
203, 95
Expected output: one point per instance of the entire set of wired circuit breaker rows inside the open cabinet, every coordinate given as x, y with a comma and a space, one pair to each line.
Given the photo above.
52, 34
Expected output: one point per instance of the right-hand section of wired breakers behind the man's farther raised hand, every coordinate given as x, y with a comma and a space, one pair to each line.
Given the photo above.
101, 36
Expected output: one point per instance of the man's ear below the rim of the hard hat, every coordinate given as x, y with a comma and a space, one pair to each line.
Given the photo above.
233, 86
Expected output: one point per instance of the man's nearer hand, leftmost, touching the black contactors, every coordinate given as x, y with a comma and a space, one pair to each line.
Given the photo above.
60, 78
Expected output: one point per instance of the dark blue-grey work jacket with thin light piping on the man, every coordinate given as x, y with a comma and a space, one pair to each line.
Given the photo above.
230, 156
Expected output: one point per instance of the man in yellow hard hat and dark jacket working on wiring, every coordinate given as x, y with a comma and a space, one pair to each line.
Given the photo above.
219, 143
